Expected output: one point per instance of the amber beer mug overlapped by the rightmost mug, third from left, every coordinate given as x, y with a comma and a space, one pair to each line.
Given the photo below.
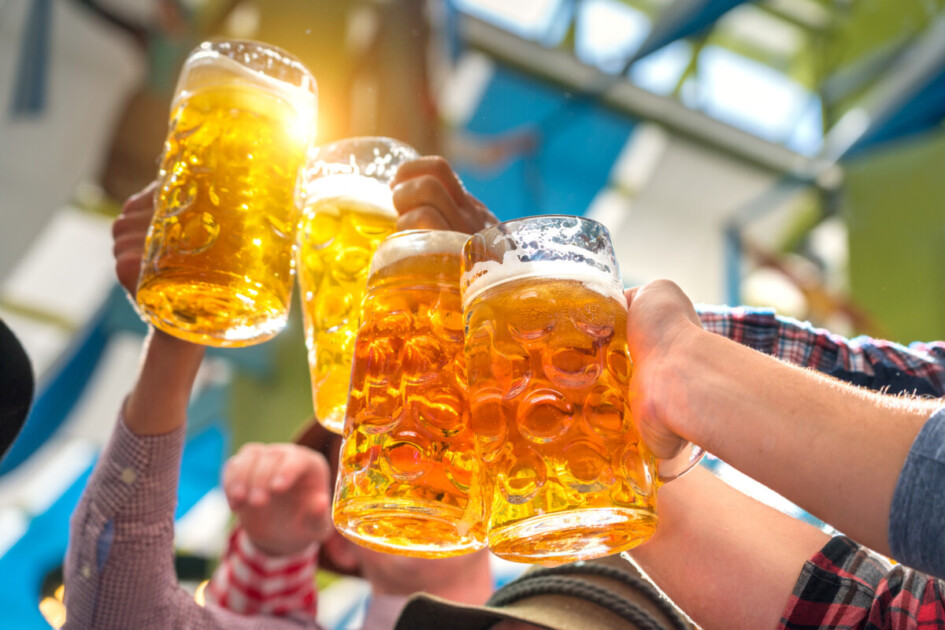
409, 479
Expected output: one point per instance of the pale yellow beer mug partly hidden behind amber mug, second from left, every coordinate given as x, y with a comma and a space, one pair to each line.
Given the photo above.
349, 209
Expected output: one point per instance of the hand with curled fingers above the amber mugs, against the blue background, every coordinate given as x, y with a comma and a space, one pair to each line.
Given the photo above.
429, 195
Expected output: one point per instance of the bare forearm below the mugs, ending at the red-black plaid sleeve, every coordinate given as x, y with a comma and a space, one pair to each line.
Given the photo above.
729, 561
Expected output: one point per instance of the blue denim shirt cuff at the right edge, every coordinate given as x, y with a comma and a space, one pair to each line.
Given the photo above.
917, 513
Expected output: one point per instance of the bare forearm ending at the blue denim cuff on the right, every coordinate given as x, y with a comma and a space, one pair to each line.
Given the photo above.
764, 417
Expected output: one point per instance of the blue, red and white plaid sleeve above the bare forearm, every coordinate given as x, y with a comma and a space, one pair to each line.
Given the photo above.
917, 368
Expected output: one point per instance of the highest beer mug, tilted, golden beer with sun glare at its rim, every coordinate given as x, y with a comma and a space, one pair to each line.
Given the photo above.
218, 267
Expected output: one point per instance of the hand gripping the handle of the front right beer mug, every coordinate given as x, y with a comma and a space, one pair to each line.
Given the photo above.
659, 319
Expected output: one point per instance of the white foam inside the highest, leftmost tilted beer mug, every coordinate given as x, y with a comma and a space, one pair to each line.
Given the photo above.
215, 69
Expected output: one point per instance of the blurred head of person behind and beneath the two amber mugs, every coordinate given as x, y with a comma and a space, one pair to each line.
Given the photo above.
387, 573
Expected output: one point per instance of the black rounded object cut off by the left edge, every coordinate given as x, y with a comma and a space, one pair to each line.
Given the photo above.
16, 387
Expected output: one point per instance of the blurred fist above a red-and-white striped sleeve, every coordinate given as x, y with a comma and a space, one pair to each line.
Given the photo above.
280, 494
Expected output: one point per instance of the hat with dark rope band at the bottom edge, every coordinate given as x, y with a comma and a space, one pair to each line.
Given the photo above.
609, 593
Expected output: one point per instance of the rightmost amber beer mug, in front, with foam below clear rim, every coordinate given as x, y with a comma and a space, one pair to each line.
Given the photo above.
548, 369
